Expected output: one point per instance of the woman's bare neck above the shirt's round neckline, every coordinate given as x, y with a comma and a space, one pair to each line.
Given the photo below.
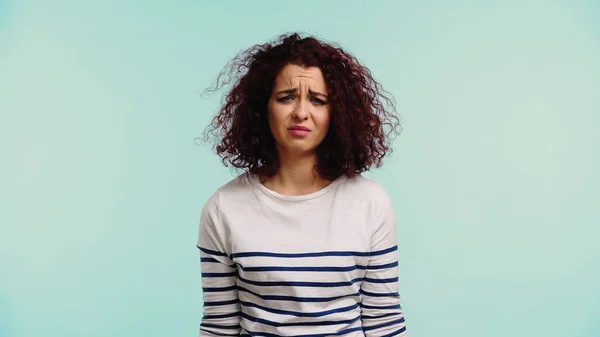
296, 176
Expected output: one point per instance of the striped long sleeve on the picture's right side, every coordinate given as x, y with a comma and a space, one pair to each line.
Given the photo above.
382, 314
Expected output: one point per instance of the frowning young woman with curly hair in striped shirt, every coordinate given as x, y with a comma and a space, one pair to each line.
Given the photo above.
300, 244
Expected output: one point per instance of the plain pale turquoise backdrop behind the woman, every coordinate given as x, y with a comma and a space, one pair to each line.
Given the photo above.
494, 178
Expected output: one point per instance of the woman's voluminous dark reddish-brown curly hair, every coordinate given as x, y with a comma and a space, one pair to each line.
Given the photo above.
361, 110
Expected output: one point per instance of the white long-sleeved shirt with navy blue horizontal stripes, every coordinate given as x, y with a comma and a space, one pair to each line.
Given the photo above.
316, 265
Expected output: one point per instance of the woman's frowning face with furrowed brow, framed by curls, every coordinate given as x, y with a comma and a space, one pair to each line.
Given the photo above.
298, 110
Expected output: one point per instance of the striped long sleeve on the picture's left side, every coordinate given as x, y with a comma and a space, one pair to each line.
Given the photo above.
219, 274
